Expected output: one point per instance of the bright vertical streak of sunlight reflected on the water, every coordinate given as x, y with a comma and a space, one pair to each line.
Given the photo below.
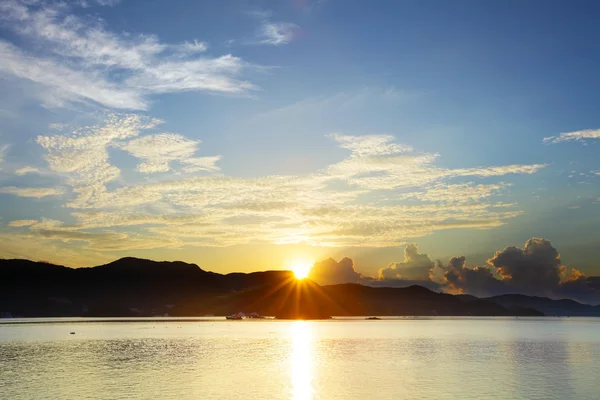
301, 359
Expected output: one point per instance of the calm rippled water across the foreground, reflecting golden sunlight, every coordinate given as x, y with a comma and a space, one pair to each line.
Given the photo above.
554, 358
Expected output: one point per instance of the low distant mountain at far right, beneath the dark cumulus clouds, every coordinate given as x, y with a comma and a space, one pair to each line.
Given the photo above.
561, 308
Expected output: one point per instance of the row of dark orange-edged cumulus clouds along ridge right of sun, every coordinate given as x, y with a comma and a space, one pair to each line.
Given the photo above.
535, 269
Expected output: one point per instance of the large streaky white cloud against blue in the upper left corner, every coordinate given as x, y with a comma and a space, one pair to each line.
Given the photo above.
79, 60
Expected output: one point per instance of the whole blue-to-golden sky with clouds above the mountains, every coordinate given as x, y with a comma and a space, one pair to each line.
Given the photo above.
248, 135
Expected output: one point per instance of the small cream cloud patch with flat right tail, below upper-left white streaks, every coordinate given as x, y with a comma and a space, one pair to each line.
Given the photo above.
160, 150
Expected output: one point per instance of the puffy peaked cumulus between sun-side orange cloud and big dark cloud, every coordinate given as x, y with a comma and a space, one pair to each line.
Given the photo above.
416, 266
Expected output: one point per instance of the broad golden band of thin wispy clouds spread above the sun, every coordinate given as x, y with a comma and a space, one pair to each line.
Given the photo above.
381, 194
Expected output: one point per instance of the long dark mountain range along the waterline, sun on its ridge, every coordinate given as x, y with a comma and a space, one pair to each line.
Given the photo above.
137, 287
